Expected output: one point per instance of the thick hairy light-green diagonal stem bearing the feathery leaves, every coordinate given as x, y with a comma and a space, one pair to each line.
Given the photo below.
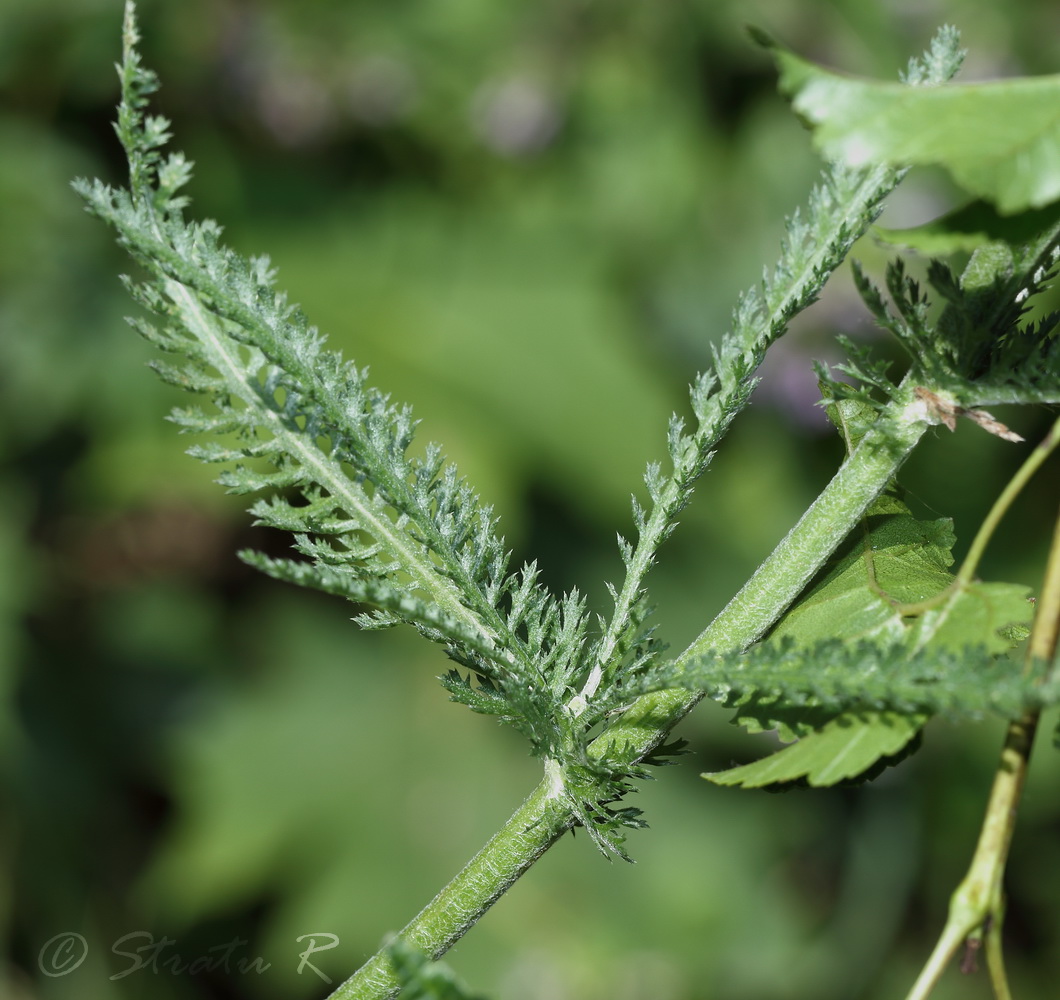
547, 814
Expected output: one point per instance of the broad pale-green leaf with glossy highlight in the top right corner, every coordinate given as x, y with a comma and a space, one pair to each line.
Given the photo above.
999, 141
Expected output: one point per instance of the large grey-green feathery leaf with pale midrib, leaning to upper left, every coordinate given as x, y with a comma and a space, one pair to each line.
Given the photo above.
401, 534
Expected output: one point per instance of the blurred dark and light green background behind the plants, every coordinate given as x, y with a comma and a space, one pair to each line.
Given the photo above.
531, 220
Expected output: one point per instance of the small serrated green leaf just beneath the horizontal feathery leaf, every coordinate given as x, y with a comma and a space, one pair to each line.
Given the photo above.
845, 748
